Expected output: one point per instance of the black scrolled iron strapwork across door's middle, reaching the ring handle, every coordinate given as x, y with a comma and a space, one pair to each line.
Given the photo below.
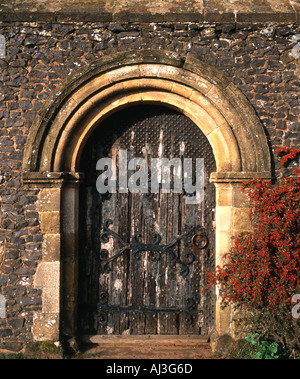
155, 248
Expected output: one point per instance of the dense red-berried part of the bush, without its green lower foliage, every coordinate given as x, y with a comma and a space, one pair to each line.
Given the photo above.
262, 270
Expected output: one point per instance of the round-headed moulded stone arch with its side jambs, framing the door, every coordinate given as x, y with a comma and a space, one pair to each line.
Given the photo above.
72, 113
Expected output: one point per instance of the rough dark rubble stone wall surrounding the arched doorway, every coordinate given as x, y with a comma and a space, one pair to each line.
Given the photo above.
253, 43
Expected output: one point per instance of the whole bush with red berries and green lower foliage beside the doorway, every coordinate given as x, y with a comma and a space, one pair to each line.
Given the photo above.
261, 273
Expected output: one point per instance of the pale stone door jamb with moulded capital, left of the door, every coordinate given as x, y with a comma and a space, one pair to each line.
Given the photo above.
57, 208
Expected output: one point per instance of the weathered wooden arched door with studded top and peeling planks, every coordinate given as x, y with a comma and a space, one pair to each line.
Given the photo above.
139, 273
